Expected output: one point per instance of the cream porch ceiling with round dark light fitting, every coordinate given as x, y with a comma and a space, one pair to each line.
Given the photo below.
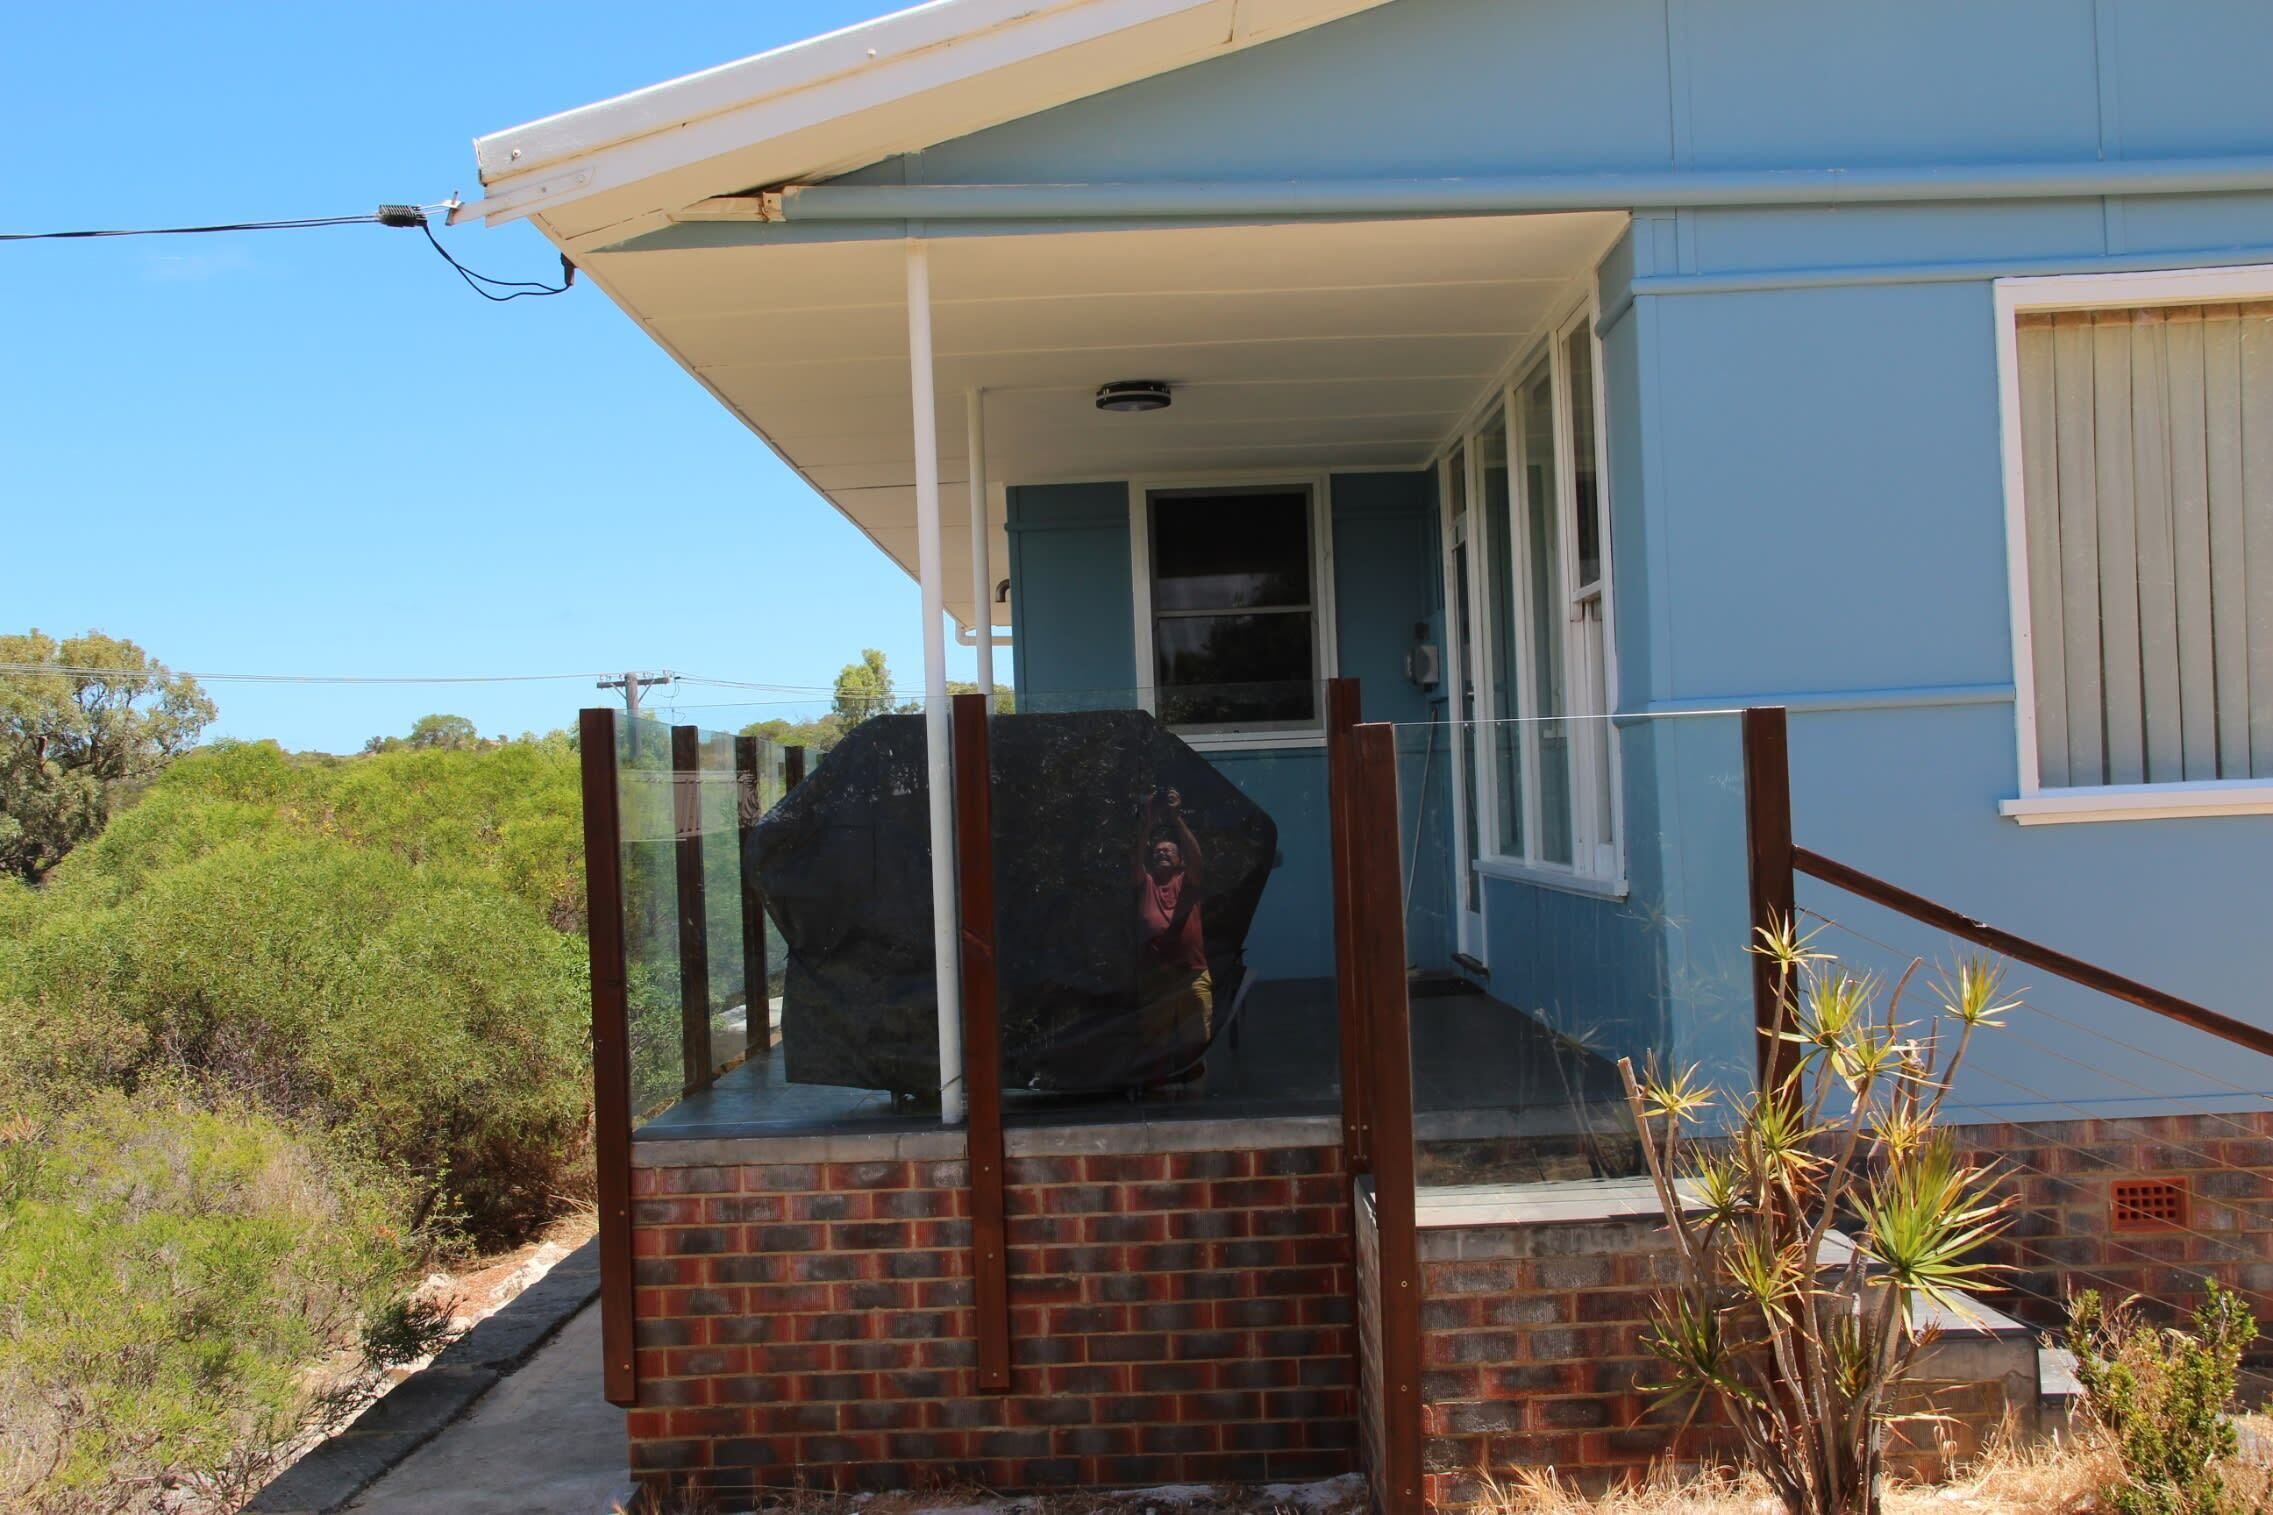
1301, 346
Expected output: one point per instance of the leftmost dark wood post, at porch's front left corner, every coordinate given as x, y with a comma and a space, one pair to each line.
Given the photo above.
610, 1051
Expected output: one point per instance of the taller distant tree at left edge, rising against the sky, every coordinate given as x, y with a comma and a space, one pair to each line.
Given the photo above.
85, 726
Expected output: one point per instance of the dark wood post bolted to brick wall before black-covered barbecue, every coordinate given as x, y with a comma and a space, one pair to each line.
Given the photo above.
983, 1039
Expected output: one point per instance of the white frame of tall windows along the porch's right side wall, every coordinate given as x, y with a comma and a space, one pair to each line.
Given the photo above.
1597, 864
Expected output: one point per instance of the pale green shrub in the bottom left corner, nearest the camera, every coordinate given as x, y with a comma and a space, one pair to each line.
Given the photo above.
169, 1278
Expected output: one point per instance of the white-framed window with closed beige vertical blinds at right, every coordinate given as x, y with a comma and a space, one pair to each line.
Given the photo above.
2140, 440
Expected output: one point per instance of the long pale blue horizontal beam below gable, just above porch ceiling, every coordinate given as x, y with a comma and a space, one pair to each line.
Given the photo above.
1524, 194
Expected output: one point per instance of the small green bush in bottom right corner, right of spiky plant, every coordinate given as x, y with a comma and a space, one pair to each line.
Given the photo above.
2163, 1396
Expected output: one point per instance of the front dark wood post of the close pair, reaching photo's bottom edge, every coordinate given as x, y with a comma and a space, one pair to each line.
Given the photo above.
1381, 966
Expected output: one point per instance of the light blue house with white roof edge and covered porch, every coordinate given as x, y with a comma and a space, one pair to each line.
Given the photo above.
1540, 362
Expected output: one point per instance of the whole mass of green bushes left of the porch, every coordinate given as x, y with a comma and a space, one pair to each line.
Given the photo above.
278, 1039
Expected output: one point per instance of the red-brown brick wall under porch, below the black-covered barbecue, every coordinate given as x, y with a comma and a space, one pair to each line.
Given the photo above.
1176, 1316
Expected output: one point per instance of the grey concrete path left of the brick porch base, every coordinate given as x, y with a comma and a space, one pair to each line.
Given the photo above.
540, 1443
